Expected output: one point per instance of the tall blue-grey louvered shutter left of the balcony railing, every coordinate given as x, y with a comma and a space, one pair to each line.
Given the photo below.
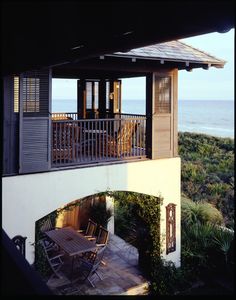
35, 102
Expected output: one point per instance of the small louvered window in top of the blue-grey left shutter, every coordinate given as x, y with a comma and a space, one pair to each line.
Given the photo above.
31, 94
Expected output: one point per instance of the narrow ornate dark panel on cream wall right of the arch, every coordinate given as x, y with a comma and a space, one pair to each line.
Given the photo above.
170, 228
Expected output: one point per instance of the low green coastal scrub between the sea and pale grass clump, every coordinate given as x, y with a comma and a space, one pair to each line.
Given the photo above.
207, 171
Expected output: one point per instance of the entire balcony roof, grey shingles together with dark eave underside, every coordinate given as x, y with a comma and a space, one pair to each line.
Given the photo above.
139, 62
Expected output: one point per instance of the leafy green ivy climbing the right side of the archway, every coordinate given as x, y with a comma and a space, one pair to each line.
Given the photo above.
145, 212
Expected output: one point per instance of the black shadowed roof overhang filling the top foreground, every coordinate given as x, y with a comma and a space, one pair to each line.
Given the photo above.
40, 34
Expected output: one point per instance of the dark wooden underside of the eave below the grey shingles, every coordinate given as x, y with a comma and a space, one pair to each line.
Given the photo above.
123, 67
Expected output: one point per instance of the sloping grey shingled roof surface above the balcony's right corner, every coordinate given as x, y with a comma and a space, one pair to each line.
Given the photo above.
172, 51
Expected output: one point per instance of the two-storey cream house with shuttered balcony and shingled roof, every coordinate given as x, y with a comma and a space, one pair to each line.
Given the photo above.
52, 159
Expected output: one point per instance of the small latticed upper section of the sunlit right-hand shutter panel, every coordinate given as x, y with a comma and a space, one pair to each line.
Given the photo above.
163, 95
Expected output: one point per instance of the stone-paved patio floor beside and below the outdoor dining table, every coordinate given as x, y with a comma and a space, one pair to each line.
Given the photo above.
119, 272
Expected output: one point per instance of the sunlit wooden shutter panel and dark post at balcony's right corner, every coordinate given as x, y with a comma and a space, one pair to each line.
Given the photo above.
161, 110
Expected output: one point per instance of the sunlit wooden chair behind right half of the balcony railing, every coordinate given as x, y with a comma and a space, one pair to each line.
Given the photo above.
117, 146
